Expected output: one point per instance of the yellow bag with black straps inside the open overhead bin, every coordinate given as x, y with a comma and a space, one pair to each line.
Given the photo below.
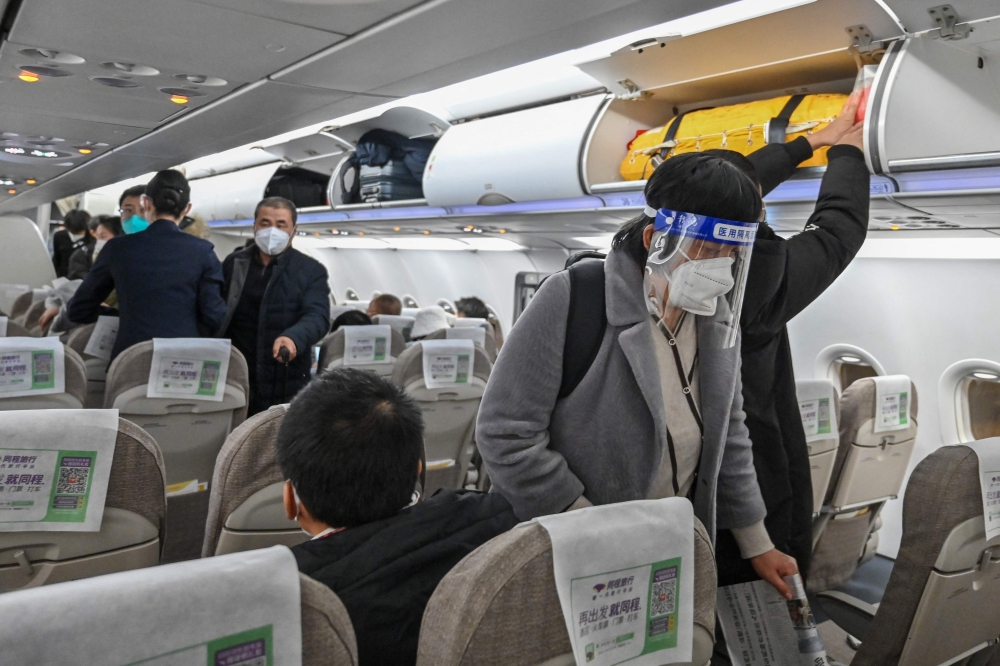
740, 127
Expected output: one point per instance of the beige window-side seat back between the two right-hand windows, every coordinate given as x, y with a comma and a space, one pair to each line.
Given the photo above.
867, 472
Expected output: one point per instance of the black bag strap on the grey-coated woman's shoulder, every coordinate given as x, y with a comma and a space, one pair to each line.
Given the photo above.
585, 323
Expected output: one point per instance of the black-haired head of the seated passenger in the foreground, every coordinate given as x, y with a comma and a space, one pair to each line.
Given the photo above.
350, 447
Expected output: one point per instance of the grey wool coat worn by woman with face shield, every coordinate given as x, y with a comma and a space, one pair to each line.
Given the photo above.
607, 439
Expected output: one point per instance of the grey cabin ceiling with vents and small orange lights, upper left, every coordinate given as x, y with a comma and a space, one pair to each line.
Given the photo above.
249, 69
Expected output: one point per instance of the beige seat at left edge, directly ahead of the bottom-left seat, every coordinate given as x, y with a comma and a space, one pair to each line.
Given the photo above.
132, 529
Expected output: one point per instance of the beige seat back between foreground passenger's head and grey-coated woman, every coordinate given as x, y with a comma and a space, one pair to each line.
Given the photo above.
449, 416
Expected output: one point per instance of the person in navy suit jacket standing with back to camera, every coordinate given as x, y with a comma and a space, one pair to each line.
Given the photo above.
169, 283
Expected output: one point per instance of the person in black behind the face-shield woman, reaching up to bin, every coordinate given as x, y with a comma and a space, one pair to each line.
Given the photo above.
785, 276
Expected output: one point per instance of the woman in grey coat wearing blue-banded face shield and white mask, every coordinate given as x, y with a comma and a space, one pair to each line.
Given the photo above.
658, 412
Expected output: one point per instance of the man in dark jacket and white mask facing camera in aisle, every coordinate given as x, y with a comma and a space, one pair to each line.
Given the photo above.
276, 297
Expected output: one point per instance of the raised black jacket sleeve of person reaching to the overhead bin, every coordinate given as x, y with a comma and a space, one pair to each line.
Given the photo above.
787, 275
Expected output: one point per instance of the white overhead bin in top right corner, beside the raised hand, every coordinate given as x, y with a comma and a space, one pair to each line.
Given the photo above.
935, 103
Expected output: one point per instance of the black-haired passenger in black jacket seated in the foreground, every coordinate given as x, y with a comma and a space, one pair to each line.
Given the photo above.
350, 446
